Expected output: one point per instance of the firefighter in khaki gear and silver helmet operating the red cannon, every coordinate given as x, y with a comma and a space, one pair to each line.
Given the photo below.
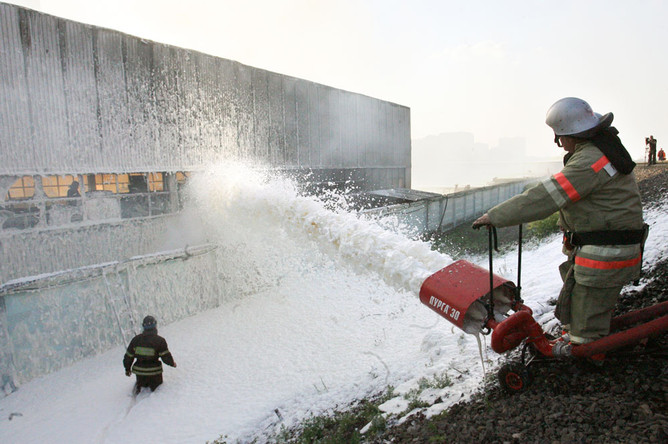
600, 211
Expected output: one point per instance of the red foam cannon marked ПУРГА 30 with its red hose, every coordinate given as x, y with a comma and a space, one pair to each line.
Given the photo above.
461, 293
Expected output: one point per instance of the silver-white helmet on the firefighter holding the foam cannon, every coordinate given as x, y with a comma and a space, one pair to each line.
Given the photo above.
571, 116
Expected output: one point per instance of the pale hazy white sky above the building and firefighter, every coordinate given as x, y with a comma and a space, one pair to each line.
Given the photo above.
489, 67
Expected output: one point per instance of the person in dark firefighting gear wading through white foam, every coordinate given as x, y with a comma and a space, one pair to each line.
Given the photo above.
147, 348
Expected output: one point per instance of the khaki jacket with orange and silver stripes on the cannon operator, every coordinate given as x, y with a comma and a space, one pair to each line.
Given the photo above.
590, 195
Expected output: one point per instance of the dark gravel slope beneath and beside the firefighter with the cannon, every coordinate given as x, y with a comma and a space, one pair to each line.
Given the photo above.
623, 401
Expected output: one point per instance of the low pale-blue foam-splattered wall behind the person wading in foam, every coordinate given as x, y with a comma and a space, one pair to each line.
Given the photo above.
51, 321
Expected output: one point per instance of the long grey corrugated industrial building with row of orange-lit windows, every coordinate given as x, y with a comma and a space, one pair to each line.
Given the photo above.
130, 119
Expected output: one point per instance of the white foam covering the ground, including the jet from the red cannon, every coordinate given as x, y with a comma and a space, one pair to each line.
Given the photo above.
327, 313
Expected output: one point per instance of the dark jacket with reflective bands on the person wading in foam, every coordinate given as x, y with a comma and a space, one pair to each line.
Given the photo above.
147, 348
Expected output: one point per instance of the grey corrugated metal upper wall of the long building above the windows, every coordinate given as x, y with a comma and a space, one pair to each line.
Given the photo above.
81, 99
